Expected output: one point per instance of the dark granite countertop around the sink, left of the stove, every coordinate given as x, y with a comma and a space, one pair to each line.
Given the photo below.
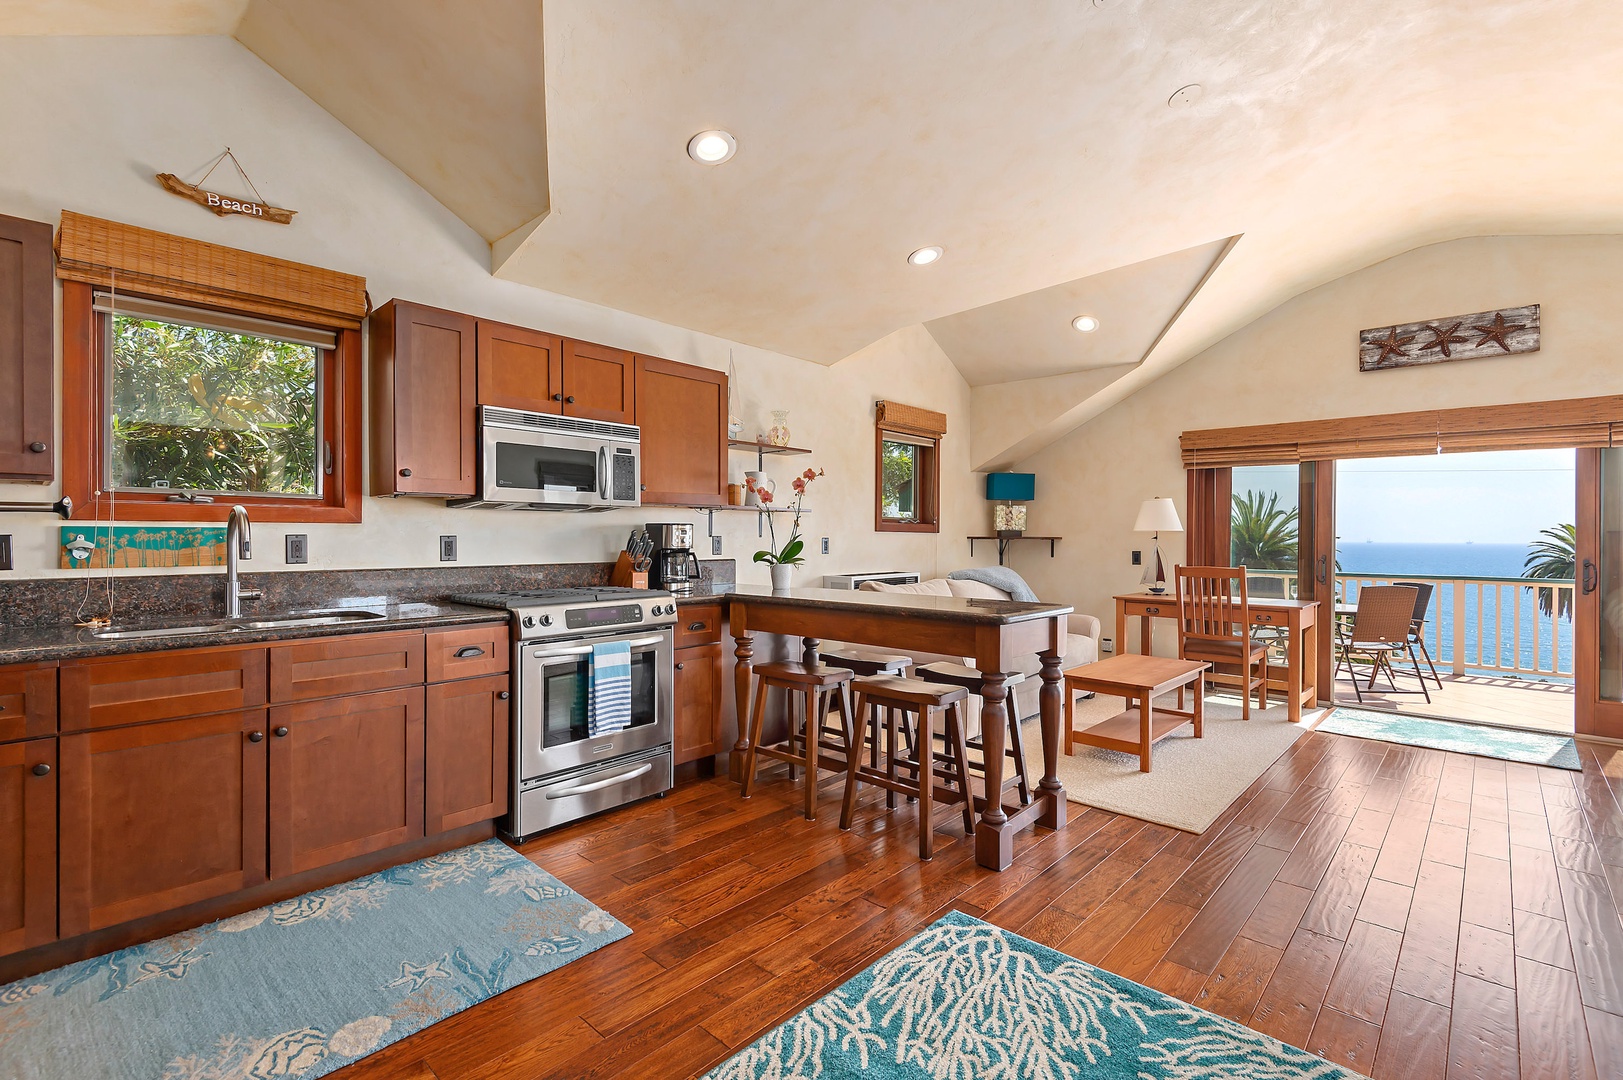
22, 646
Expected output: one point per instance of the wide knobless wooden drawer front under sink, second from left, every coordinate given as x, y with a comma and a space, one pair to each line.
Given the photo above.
160, 686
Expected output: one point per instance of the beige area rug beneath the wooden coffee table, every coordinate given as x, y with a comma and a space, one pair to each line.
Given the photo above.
1192, 780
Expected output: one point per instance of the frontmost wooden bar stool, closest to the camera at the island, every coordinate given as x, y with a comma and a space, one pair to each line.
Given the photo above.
905, 772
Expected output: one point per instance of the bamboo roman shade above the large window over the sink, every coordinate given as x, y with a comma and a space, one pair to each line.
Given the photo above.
178, 269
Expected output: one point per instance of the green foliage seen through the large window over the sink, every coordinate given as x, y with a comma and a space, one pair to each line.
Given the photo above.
207, 410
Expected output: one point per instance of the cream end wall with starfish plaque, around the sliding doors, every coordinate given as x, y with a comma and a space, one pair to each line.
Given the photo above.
1299, 363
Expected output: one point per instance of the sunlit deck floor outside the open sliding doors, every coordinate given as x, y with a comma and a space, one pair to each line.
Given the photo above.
1483, 699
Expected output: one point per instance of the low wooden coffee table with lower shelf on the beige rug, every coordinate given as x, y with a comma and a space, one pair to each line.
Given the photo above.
1137, 680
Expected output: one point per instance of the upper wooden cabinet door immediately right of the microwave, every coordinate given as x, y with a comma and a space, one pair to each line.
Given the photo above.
684, 420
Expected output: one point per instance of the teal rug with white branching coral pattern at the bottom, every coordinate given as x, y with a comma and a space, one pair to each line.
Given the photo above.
970, 1001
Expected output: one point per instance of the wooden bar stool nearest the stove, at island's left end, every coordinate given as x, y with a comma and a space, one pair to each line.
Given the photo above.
817, 689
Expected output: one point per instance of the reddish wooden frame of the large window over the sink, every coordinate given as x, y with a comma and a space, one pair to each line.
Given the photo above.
85, 379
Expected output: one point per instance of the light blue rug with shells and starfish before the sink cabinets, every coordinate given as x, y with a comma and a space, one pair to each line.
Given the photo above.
306, 987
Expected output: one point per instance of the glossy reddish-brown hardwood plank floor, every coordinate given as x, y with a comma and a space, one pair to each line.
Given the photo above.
1410, 914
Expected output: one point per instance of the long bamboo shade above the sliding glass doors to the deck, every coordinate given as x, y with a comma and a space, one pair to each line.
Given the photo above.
1526, 426
